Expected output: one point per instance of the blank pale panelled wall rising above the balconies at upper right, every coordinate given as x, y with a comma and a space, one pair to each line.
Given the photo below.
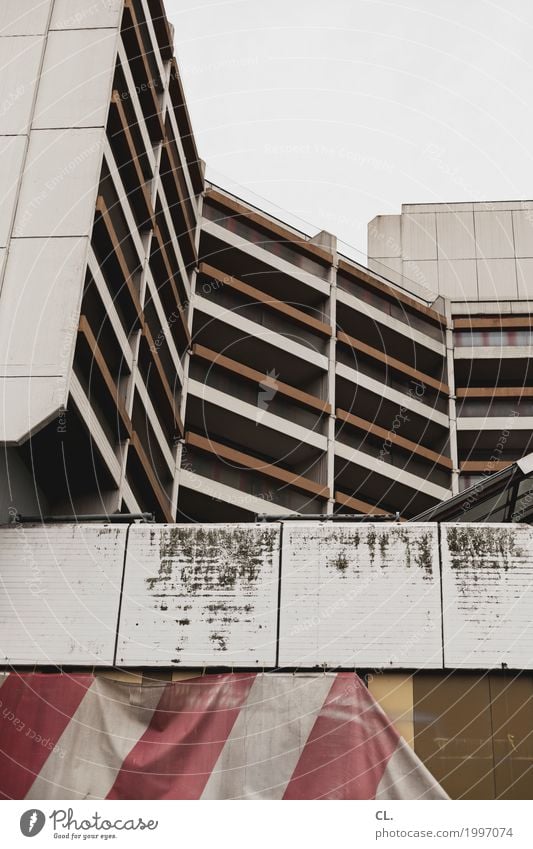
461, 251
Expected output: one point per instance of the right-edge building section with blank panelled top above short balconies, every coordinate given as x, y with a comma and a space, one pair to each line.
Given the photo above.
478, 257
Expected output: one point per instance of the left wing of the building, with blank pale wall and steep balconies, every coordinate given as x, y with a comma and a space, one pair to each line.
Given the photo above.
99, 234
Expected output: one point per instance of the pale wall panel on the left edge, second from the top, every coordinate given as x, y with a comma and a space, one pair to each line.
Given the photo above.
20, 70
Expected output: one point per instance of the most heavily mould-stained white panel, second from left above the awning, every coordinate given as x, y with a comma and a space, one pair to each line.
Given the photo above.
200, 595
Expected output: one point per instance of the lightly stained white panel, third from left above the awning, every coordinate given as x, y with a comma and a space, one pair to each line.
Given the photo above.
360, 595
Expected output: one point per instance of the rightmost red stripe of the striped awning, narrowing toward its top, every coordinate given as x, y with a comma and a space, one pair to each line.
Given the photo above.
348, 749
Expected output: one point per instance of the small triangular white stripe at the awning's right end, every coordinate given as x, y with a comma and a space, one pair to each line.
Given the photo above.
406, 777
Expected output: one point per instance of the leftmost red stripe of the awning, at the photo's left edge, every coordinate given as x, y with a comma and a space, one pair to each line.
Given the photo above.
34, 711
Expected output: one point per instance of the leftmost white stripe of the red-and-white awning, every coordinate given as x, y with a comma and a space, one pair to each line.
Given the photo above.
85, 762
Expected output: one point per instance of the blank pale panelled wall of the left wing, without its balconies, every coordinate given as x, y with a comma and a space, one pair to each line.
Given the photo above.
55, 93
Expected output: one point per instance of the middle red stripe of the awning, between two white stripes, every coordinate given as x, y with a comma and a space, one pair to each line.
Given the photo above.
177, 753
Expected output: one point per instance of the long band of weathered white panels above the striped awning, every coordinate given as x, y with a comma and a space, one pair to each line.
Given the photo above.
292, 594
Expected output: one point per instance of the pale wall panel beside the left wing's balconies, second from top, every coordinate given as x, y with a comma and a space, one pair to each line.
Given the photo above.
75, 86
